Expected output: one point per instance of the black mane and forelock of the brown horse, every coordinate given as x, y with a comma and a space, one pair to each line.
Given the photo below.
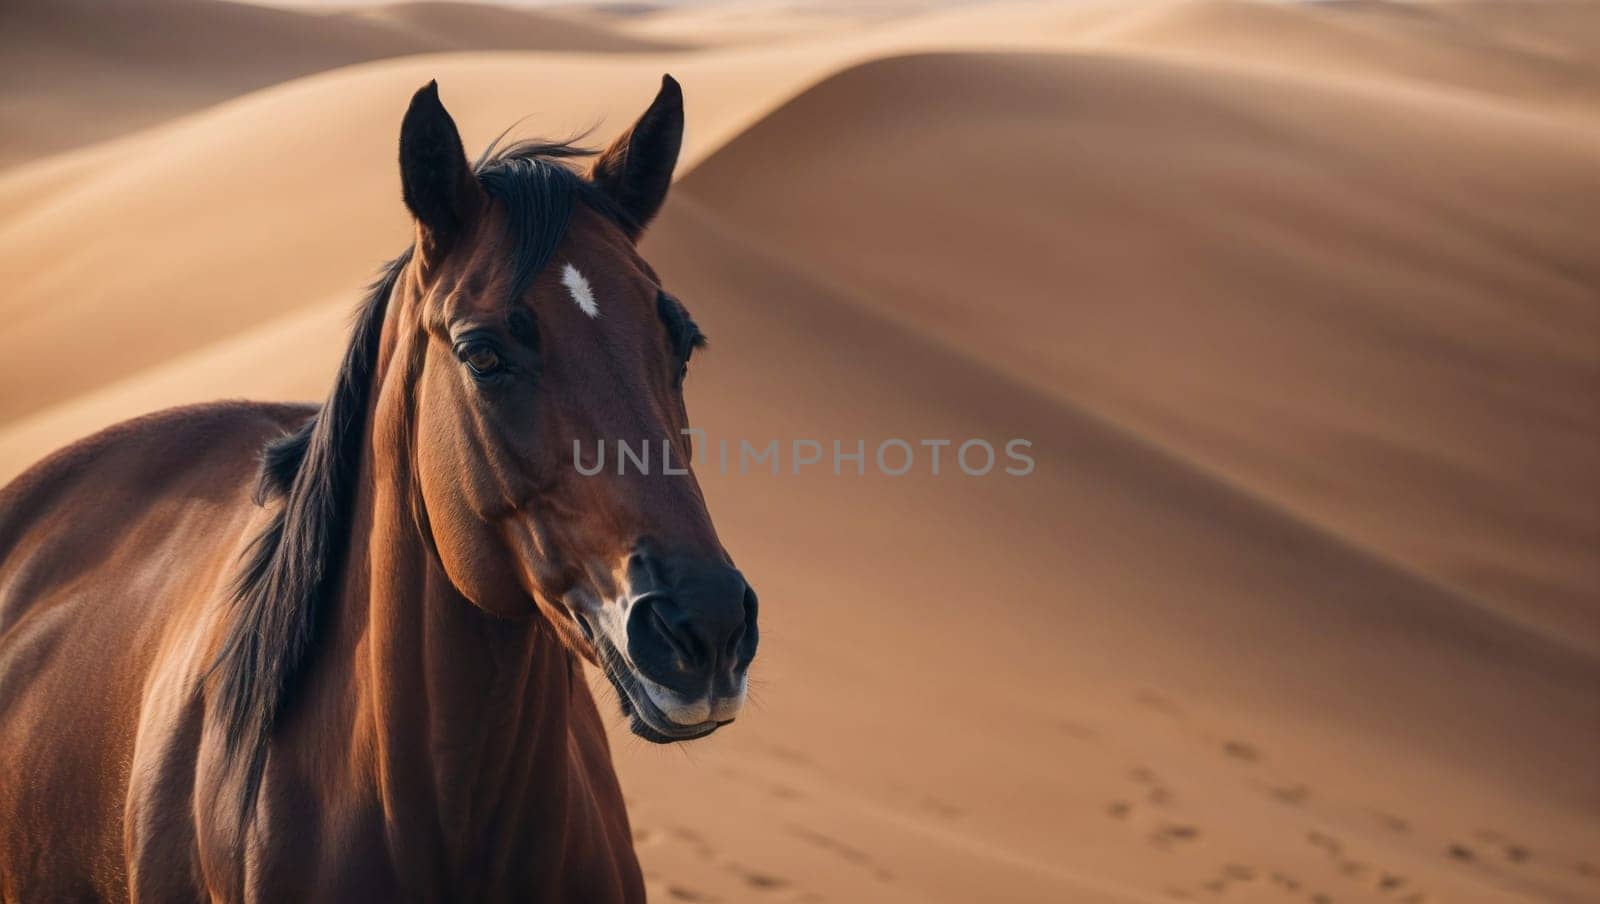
292, 567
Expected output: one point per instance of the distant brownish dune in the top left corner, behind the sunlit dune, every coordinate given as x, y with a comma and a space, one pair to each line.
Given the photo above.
92, 70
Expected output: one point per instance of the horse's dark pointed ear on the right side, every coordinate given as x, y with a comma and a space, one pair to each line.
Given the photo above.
638, 169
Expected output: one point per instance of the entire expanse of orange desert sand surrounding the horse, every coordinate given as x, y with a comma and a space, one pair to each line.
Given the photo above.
1300, 306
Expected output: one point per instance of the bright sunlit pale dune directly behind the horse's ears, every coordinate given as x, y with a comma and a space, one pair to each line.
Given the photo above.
260, 169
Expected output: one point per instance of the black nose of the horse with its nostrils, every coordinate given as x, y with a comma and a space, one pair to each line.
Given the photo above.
705, 625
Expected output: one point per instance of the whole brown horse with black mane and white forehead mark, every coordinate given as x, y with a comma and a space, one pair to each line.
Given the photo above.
346, 668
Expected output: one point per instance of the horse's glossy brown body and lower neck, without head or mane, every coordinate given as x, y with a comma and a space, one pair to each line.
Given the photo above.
378, 783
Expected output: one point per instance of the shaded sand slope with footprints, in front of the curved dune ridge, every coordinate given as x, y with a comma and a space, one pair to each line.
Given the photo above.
1201, 634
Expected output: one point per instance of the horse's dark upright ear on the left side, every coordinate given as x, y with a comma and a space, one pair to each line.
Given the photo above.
436, 178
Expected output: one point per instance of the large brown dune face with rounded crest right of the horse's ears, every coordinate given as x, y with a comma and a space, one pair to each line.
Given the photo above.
1233, 295
